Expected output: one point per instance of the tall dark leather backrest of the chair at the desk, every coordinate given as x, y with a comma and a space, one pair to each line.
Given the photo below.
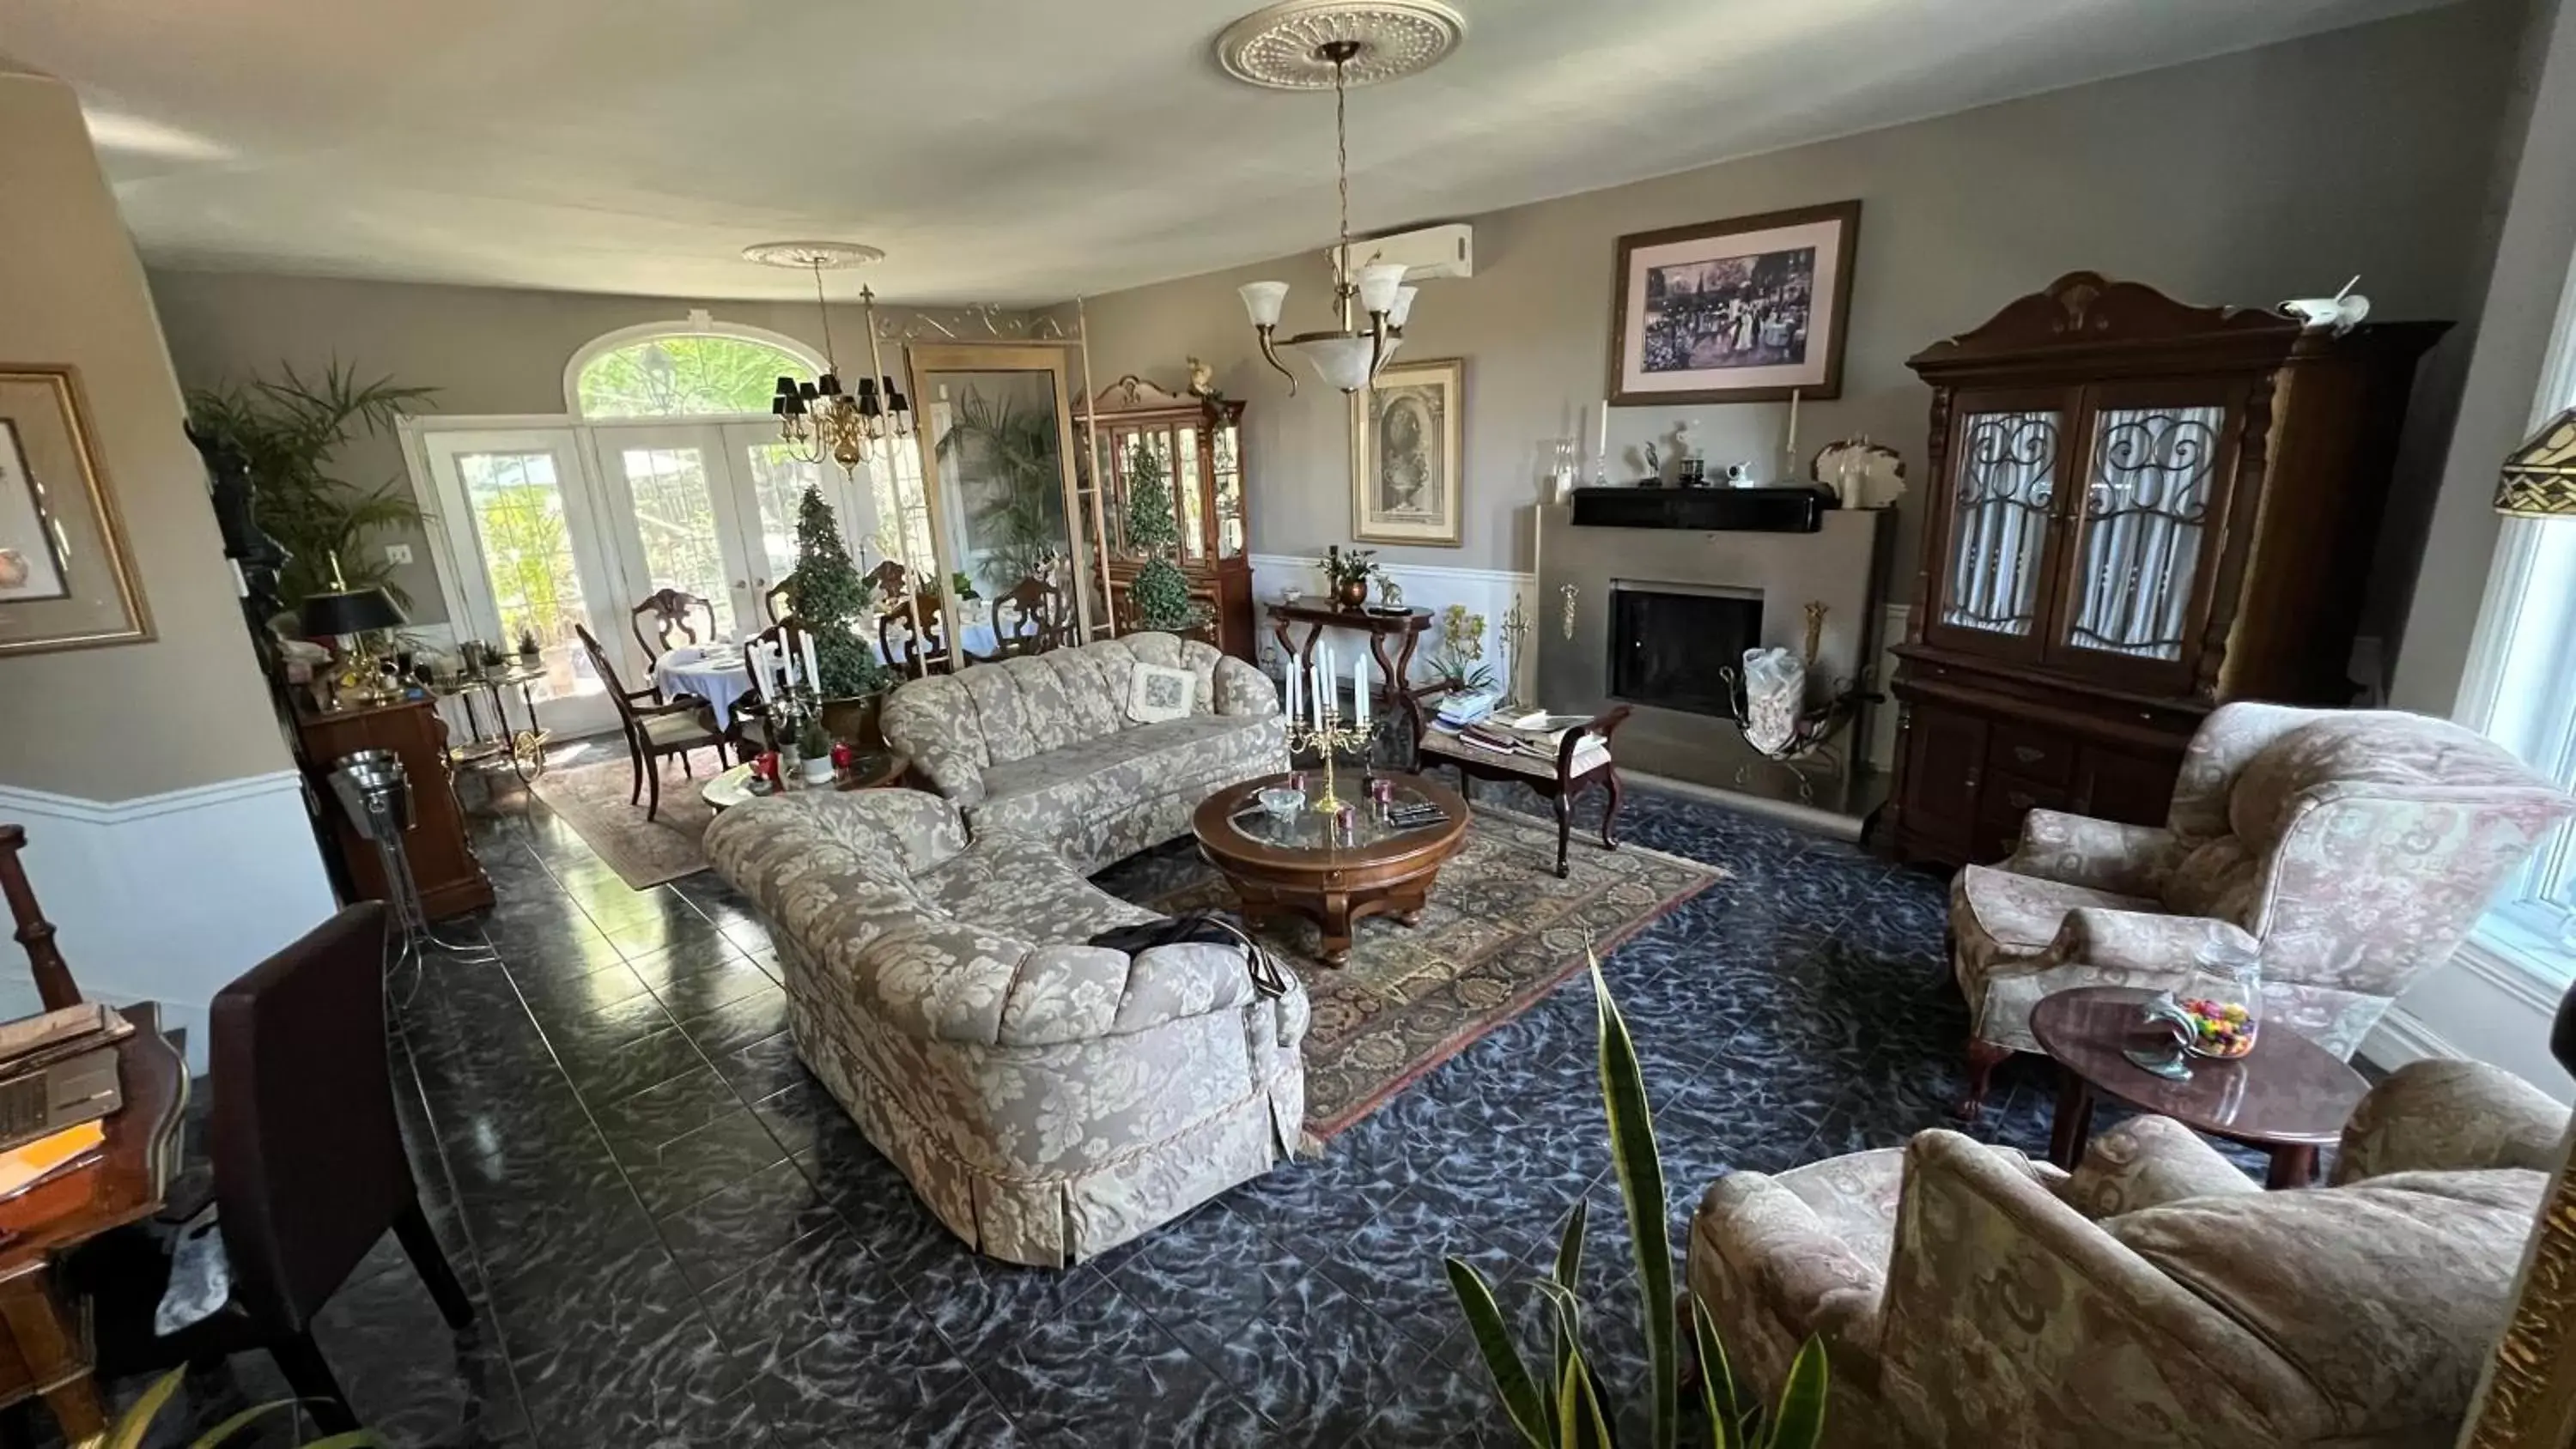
308, 1154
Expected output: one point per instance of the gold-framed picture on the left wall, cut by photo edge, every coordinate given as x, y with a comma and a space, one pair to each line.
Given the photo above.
66, 570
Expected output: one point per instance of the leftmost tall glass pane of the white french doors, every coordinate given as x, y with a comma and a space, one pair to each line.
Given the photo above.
519, 519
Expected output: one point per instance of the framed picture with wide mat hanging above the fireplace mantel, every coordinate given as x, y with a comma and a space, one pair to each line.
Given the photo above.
1745, 310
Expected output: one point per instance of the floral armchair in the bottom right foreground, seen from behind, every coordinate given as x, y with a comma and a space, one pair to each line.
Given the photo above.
2152, 1298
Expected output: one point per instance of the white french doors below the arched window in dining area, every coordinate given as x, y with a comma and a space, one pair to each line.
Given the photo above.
558, 526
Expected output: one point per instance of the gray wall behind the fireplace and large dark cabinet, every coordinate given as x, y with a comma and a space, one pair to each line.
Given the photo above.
2242, 179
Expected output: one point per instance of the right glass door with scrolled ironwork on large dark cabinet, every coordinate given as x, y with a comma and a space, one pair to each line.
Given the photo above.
2142, 529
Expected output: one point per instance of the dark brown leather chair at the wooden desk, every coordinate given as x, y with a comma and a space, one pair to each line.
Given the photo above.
308, 1170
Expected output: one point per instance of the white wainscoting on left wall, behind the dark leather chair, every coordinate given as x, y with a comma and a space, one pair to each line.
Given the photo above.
169, 897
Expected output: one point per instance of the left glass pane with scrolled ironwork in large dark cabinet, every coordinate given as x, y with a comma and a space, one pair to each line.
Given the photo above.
2008, 477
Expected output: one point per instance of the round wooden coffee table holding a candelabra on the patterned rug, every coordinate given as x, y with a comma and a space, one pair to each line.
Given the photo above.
1294, 869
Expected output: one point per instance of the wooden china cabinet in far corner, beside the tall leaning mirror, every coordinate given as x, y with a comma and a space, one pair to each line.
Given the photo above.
1202, 447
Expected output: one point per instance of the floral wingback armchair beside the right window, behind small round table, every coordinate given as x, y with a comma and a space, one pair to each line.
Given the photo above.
2348, 848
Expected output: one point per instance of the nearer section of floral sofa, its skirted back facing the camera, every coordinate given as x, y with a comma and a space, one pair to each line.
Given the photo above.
1047, 1098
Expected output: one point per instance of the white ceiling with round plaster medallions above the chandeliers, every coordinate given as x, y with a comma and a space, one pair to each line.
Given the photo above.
998, 151
